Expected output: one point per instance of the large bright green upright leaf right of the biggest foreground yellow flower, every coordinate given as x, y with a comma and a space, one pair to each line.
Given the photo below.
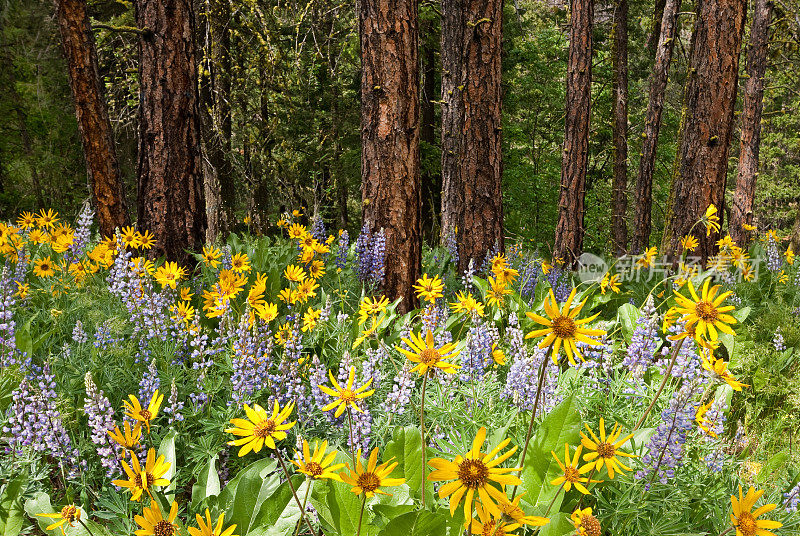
560, 426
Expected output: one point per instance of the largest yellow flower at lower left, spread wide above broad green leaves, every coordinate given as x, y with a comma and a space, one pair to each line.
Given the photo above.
260, 428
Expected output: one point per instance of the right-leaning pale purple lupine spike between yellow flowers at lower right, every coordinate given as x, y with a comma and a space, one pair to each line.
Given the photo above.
665, 447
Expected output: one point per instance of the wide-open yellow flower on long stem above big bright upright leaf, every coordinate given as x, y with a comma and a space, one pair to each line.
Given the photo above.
562, 327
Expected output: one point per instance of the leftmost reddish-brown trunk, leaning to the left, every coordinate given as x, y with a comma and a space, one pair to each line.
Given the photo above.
90, 109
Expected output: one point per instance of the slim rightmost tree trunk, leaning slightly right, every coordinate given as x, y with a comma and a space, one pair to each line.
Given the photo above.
750, 138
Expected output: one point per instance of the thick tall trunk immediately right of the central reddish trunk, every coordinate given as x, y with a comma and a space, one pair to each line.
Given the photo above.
472, 202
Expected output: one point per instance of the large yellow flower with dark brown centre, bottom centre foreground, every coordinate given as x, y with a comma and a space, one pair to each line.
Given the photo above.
476, 474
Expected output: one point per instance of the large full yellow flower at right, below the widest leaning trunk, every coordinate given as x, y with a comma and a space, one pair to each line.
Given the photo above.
705, 312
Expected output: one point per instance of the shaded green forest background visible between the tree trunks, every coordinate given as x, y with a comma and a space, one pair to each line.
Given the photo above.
279, 92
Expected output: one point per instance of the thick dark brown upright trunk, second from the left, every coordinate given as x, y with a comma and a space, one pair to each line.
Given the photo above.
171, 201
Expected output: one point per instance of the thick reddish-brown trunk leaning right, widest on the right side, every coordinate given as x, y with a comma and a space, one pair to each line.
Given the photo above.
709, 100
